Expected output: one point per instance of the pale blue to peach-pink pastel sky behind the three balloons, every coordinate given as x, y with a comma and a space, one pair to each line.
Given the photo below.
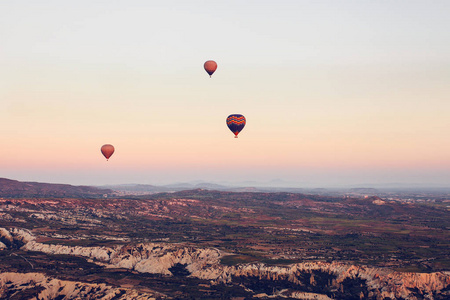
334, 92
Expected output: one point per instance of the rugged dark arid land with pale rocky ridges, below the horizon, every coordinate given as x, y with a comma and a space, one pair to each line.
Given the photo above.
66, 242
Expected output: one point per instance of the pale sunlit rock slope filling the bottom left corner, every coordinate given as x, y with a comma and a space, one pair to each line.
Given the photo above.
22, 285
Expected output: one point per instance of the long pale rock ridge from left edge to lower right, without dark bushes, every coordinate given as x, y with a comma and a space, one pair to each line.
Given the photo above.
205, 264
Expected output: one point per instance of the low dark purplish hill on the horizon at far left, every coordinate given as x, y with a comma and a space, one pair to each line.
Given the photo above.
16, 189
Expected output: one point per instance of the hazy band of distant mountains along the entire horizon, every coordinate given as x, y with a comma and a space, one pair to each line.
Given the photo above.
16, 189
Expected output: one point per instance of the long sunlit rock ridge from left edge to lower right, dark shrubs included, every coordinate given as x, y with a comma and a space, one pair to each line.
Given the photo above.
316, 280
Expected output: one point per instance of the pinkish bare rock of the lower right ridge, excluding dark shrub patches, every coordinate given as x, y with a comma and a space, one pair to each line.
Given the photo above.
380, 282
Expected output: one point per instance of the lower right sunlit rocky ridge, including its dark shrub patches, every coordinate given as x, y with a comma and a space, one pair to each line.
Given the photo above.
375, 283
